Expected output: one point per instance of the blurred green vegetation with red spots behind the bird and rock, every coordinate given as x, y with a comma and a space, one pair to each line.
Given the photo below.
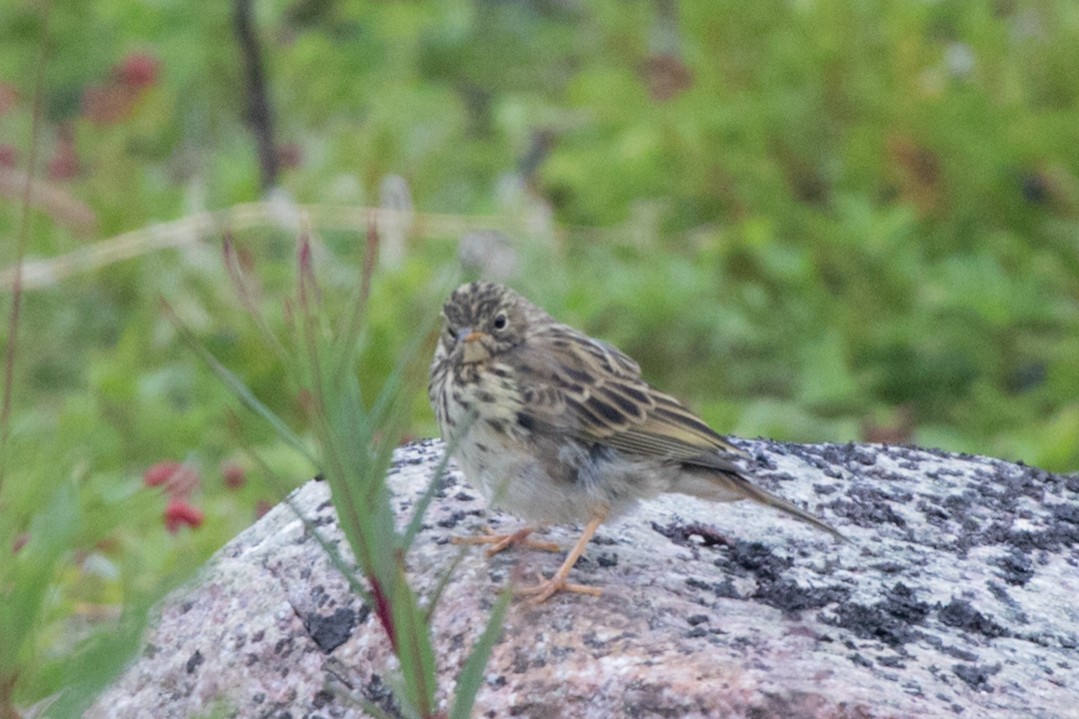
826, 221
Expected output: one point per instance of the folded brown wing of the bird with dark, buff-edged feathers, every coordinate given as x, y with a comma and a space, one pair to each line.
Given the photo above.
573, 384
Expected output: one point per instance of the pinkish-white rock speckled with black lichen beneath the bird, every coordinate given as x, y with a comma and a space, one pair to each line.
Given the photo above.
958, 598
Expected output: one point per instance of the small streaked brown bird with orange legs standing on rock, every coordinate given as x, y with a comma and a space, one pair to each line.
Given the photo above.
556, 427
